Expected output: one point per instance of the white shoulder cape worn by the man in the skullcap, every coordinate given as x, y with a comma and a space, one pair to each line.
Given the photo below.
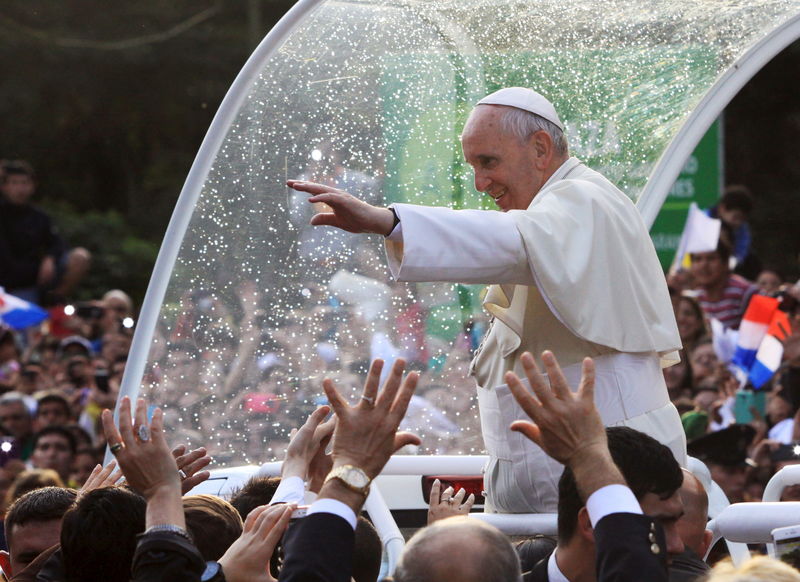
595, 265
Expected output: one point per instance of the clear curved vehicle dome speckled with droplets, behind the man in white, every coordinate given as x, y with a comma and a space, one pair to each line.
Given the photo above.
250, 307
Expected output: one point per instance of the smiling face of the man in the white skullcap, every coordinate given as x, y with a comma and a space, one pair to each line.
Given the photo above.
506, 168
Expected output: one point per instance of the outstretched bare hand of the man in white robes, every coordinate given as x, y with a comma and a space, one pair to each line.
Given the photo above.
346, 211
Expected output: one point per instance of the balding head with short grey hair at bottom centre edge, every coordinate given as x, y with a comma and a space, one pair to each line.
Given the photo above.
483, 554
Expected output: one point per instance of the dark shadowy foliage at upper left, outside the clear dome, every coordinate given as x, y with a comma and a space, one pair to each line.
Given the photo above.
110, 101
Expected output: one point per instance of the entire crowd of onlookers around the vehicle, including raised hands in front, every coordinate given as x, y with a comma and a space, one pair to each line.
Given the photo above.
234, 371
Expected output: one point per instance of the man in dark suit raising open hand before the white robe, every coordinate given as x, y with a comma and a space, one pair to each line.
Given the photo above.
618, 494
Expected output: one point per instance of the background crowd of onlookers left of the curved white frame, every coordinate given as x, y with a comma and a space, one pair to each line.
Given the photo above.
55, 377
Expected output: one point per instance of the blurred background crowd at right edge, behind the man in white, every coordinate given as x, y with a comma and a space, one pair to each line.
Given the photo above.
744, 435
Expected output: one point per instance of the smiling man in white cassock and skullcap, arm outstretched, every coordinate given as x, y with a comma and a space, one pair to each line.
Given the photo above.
571, 268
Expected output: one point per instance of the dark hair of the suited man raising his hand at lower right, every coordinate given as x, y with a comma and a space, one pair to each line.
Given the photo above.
647, 465
